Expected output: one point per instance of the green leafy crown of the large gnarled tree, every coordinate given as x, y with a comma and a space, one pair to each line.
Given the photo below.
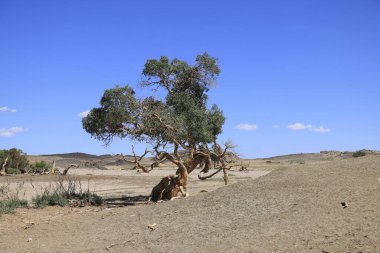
181, 116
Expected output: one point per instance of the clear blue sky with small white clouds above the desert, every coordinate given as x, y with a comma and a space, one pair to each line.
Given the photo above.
297, 76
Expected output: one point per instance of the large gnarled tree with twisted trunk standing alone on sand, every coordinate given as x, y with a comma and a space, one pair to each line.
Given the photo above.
181, 121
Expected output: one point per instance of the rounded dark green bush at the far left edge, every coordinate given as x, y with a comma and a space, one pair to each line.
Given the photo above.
17, 160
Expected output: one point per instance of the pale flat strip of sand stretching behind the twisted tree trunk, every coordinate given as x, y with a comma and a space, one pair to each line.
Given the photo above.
116, 183
